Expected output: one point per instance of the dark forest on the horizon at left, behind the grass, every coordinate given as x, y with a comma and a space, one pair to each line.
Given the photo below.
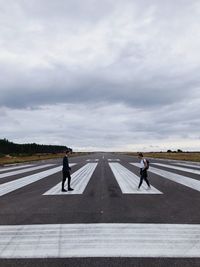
7, 147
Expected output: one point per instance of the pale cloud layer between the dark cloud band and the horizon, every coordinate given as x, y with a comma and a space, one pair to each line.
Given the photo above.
109, 126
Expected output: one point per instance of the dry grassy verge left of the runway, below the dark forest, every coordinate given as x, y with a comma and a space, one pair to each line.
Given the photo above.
26, 158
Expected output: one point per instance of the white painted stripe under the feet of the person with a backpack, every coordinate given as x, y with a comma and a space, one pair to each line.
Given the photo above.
128, 181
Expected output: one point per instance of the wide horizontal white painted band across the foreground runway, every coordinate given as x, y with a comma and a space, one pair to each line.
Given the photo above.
100, 240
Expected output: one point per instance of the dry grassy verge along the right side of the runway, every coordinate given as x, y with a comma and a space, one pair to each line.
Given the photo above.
188, 156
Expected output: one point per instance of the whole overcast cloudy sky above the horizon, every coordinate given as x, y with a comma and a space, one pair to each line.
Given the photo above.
109, 75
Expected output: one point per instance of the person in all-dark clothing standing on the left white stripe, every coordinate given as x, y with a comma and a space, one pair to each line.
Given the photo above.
66, 172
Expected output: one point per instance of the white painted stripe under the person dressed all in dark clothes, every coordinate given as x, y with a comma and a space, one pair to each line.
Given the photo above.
79, 181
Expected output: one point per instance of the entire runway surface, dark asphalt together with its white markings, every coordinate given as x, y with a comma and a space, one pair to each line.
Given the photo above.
105, 221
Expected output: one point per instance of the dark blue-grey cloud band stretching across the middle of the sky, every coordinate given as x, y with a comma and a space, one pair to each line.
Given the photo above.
47, 87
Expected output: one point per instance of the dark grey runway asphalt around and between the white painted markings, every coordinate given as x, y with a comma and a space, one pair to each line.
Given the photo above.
102, 202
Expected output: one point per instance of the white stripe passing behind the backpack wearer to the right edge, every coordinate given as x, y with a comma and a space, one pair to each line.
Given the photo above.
189, 182
